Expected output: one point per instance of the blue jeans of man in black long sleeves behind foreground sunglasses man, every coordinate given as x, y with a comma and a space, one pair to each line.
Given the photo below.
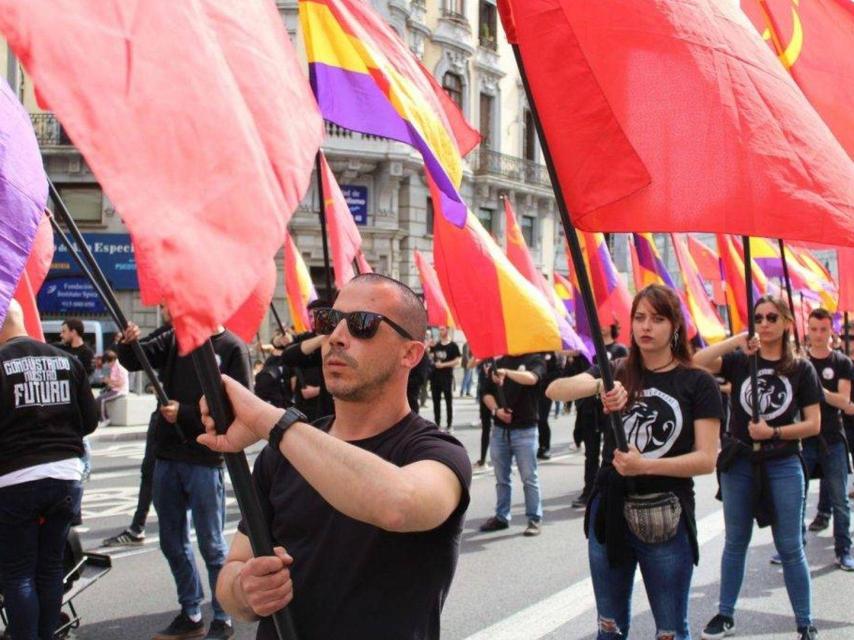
179, 488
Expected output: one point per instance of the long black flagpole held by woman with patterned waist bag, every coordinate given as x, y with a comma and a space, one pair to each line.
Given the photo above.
577, 259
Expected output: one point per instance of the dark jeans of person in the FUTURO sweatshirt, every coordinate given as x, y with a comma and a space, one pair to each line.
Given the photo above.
31, 552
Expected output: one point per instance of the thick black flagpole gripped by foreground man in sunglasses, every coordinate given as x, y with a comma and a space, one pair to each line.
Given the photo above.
204, 361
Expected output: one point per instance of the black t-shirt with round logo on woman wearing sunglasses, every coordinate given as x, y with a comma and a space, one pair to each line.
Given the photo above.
780, 397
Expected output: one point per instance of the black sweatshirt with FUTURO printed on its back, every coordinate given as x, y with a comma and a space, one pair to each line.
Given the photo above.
46, 405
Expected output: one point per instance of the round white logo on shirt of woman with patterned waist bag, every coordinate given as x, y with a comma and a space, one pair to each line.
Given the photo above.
653, 423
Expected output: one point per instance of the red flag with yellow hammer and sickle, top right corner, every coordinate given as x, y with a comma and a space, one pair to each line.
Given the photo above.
814, 40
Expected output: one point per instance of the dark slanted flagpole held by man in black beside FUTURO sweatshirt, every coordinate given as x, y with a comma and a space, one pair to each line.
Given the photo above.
93, 272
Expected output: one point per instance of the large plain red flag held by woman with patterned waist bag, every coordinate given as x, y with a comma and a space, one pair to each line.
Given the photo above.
674, 113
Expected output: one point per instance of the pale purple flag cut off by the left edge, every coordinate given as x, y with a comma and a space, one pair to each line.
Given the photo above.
23, 192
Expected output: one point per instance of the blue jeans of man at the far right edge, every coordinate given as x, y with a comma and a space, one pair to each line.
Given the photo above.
834, 466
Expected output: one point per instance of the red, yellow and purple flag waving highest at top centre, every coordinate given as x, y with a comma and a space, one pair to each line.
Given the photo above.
366, 79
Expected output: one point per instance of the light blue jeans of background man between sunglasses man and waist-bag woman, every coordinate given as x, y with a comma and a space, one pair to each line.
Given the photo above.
522, 443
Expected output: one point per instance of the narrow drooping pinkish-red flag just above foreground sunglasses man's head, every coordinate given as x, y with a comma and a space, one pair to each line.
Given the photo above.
344, 237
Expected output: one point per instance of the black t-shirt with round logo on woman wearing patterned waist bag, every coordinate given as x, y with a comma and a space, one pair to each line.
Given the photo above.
661, 422
